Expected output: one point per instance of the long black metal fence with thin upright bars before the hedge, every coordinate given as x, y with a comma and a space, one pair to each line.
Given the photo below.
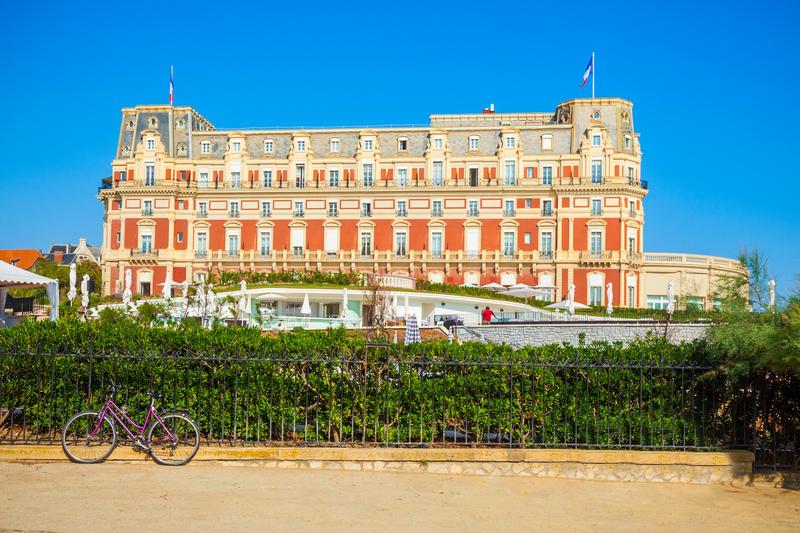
379, 400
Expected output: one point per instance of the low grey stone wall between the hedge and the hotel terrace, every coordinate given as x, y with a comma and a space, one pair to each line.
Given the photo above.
518, 335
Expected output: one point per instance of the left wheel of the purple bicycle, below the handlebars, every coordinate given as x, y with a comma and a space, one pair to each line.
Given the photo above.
88, 439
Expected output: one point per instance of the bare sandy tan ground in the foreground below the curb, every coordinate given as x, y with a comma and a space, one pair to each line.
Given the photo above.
251, 497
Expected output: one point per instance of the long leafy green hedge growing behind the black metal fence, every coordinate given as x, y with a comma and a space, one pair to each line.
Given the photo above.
324, 387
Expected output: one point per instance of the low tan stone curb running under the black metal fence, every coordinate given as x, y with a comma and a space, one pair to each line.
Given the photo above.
614, 465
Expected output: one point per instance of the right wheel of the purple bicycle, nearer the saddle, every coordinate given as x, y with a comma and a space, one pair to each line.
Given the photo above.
174, 440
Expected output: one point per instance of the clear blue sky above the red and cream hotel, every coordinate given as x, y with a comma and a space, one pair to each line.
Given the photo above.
713, 84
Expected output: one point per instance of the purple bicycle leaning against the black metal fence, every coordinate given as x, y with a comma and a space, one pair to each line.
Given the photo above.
170, 436
